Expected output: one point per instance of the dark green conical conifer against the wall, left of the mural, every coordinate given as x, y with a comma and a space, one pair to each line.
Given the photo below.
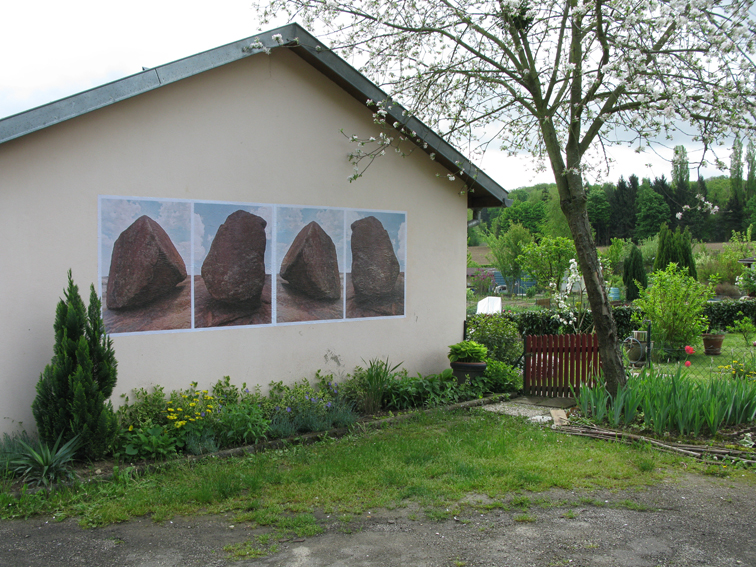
73, 389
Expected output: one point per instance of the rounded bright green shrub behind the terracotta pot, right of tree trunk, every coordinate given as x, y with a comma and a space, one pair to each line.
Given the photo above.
681, 325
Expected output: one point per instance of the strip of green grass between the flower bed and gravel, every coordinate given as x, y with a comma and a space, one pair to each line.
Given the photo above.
433, 460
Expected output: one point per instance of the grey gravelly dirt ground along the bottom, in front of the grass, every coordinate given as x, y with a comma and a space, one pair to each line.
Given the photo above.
695, 520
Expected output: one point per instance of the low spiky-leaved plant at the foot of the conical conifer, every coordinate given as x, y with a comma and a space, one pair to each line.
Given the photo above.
41, 465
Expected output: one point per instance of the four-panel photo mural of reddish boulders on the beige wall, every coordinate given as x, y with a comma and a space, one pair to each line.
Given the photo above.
169, 265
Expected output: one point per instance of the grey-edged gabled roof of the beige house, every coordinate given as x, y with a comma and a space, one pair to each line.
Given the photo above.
484, 191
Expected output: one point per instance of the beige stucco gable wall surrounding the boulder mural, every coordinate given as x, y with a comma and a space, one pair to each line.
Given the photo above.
266, 130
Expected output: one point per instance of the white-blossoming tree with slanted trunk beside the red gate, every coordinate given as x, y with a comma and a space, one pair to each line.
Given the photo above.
558, 78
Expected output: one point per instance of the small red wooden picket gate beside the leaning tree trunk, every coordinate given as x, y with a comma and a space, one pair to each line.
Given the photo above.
554, 362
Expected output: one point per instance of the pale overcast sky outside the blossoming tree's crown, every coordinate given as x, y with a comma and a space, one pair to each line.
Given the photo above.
49, 50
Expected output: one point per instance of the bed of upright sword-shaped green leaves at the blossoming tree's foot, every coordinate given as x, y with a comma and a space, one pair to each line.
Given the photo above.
672, 402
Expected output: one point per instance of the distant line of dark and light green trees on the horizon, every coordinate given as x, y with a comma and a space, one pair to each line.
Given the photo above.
634, 209
